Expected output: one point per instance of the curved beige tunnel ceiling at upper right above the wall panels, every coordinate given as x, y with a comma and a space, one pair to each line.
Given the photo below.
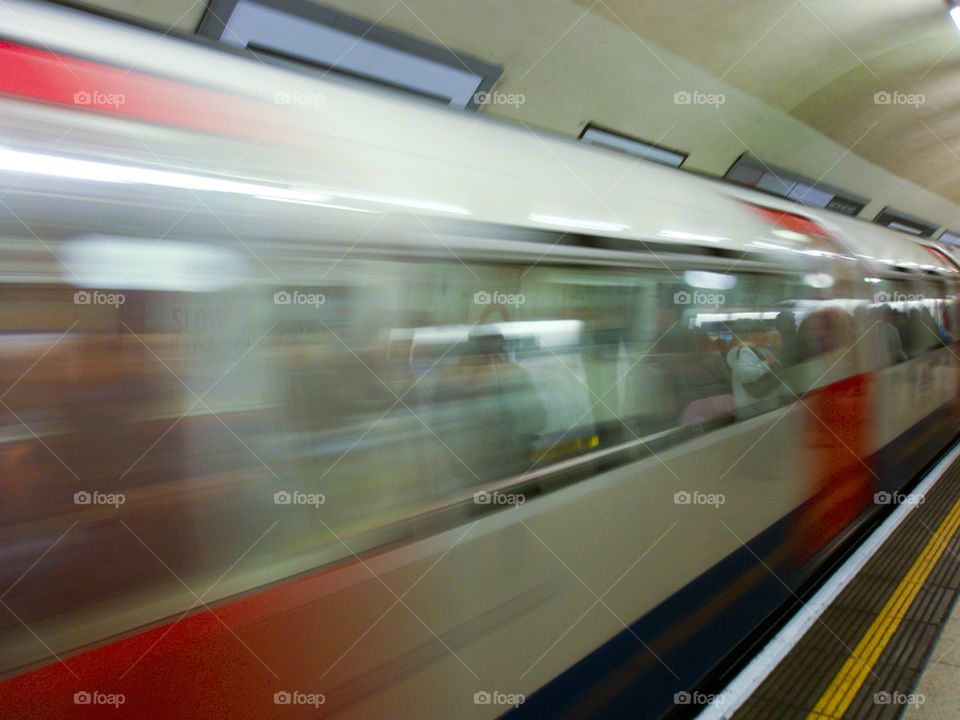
824, 62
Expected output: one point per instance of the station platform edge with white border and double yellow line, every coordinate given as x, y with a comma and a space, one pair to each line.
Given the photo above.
881, 637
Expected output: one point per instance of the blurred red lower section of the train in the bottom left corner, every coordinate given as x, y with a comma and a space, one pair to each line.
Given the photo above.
204, 667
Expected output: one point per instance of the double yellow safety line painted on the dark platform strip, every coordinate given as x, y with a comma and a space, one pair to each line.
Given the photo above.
848, 681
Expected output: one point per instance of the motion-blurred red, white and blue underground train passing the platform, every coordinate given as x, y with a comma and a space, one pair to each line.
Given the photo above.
360, 408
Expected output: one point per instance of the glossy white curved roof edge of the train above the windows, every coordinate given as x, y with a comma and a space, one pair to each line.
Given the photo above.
362, 147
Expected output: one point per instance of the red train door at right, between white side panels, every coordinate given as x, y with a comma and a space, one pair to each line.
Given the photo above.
833, 392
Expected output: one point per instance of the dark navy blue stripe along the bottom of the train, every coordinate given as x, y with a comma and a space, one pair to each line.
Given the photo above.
622, 678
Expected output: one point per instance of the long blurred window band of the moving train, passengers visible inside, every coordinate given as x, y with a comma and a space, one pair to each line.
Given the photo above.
352, 407
